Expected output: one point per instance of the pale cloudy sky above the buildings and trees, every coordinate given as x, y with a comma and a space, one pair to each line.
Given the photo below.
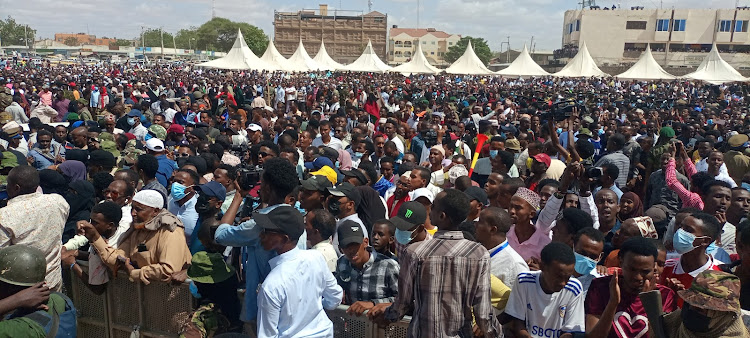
492, 20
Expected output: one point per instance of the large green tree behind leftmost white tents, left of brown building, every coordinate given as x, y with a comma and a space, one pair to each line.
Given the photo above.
219, 34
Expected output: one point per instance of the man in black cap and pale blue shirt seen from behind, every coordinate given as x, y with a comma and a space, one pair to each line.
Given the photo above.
296, 278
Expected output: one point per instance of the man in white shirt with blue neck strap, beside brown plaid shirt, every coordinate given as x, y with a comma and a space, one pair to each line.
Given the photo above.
505, 263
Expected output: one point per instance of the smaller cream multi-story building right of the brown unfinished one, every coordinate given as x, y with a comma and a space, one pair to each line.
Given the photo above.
403, 44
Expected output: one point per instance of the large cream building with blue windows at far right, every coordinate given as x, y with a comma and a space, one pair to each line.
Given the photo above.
678, 37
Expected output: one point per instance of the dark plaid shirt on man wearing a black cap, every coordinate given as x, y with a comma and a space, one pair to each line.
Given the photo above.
377, 282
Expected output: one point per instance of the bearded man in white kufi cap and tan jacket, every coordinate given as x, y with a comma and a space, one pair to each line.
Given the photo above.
153, 249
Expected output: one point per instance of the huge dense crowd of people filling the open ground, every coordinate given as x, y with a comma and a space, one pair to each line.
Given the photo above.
479, 206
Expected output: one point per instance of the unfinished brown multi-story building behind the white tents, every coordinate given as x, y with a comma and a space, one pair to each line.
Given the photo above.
345, 33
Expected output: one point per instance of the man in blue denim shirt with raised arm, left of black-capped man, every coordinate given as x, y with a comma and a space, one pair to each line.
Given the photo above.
278, 180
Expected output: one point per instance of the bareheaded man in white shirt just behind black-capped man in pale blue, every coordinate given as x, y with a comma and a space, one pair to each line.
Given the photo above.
320, 225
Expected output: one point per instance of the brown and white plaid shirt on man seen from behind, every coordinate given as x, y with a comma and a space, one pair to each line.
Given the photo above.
448, 278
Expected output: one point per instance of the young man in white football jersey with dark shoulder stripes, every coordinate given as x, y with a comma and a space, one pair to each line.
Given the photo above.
548, 303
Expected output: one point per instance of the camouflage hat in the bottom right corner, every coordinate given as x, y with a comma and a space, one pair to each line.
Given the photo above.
714, 290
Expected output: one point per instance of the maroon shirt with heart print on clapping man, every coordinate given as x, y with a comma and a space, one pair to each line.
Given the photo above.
630, 316
